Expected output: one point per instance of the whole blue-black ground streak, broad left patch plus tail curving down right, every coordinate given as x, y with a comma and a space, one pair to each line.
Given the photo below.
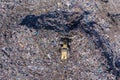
61, 21
